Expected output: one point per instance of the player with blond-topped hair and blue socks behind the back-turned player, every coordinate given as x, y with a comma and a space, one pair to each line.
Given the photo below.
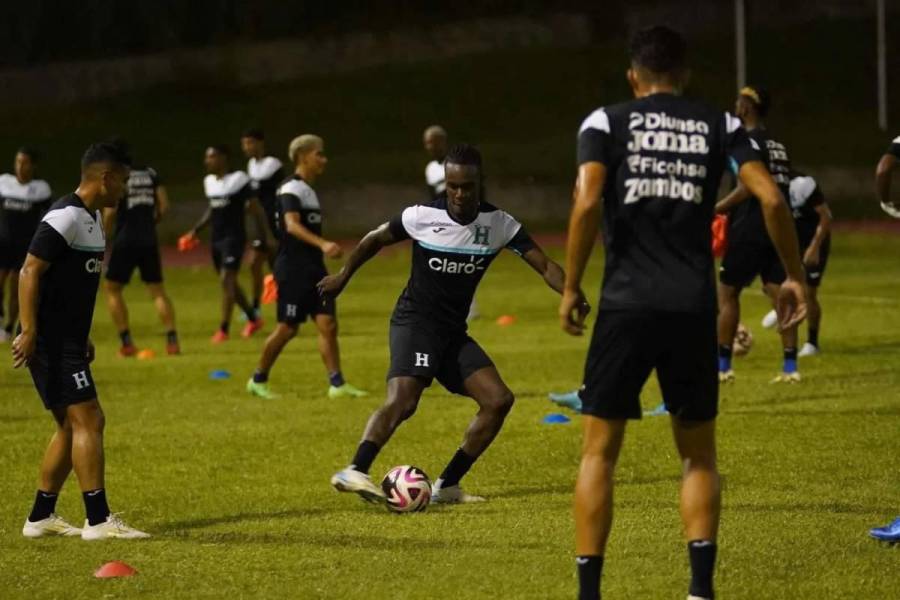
750, 253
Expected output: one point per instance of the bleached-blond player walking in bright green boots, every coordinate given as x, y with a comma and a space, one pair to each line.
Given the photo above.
299, 267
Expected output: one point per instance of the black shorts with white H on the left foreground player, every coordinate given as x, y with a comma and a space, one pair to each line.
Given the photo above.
62, 374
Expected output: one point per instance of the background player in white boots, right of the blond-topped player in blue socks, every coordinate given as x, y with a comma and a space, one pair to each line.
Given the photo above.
812, 217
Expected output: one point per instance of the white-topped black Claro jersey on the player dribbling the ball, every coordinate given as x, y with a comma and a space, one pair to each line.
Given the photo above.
449, 259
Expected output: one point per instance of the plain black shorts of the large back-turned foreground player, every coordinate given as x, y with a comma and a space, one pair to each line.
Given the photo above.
628, 345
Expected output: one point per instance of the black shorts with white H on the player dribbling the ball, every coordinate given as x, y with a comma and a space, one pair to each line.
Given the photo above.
451, 359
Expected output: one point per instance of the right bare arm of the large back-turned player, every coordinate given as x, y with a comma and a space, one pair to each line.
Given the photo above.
791, 302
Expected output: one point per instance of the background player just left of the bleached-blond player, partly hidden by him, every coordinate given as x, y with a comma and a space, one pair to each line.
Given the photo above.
266, 172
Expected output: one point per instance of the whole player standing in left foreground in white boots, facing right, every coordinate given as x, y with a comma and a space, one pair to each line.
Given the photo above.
58, 288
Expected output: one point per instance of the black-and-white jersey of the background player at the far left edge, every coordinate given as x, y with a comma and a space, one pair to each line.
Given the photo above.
21, 207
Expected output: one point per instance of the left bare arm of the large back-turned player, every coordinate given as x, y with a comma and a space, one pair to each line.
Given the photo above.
584, 223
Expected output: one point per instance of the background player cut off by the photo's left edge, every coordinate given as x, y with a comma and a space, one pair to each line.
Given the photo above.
23, 201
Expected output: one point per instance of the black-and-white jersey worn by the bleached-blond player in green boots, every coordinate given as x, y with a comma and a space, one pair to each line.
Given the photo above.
294, 255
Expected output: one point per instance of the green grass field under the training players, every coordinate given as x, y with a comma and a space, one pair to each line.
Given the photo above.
235, 489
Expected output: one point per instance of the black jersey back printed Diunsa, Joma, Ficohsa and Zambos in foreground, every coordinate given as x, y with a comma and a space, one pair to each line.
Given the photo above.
665, 156
